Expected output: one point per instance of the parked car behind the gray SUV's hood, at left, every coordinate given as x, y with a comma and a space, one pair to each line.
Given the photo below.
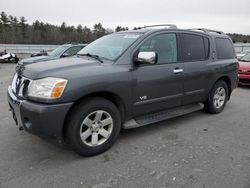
62, 51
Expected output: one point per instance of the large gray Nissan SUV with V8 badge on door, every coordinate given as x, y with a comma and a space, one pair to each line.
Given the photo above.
124, 80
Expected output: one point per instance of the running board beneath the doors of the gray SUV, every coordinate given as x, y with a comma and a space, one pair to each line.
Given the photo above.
163, 115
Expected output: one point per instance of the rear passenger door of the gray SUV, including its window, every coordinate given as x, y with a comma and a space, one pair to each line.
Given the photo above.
197, 72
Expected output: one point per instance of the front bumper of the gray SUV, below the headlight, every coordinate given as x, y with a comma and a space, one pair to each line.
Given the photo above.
37, 118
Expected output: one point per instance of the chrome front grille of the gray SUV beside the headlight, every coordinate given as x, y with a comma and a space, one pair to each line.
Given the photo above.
19, 85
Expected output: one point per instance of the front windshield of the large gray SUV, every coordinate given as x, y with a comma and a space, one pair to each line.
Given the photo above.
110, 46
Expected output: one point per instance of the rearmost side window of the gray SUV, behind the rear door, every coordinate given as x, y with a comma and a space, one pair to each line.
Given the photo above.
224, 48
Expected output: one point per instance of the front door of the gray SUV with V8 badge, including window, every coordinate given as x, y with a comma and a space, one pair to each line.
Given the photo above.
158, 86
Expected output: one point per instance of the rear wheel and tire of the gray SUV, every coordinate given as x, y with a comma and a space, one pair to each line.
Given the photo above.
217, 98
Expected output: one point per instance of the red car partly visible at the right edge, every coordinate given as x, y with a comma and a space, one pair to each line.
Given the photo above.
244, 70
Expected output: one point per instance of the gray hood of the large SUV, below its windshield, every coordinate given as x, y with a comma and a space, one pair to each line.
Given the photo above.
64, 68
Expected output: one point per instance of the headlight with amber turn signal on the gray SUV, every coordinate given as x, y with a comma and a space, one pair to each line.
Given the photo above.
47, 88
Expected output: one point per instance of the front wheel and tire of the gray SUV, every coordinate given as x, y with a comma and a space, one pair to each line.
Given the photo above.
93, 126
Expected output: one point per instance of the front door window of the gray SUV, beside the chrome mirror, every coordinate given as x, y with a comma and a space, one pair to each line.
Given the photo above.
164, 45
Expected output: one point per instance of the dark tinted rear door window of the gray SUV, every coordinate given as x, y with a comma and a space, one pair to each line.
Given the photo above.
195, 47
